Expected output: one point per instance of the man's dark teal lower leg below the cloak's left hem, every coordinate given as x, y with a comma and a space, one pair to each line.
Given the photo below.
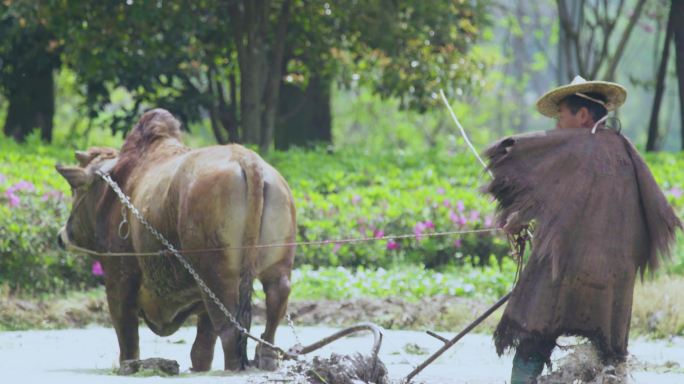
529, 360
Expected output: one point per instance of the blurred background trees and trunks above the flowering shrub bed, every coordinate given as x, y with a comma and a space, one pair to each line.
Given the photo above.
282, 73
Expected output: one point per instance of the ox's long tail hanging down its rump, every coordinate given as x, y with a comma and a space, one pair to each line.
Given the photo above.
254, 179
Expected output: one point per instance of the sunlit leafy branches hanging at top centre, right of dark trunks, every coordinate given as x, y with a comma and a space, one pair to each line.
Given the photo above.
409, 50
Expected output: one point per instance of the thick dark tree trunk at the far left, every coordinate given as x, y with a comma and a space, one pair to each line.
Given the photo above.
31, 104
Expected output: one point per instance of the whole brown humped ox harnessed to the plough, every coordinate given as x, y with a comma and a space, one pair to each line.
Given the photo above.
200, 200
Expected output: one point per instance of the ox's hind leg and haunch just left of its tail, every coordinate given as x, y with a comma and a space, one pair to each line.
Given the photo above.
212, 216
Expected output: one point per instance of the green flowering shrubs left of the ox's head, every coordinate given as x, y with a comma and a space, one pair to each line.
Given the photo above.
32, 209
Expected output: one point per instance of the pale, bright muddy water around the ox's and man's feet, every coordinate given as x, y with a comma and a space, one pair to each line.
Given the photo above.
90, 356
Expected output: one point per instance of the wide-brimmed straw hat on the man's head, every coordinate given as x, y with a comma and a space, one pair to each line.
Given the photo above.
615, 95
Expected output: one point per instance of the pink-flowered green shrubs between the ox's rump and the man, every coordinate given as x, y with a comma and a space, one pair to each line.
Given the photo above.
351, 194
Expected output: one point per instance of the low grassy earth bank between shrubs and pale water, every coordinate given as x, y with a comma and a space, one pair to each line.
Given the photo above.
658, 304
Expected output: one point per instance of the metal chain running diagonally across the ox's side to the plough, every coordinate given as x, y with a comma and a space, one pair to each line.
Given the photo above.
126, 201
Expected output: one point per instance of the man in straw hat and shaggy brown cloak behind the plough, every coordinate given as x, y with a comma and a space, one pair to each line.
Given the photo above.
599, 218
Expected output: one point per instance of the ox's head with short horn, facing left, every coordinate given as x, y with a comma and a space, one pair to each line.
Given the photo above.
80, 227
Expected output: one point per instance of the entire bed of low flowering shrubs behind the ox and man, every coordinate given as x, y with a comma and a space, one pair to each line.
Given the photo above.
344, 194
